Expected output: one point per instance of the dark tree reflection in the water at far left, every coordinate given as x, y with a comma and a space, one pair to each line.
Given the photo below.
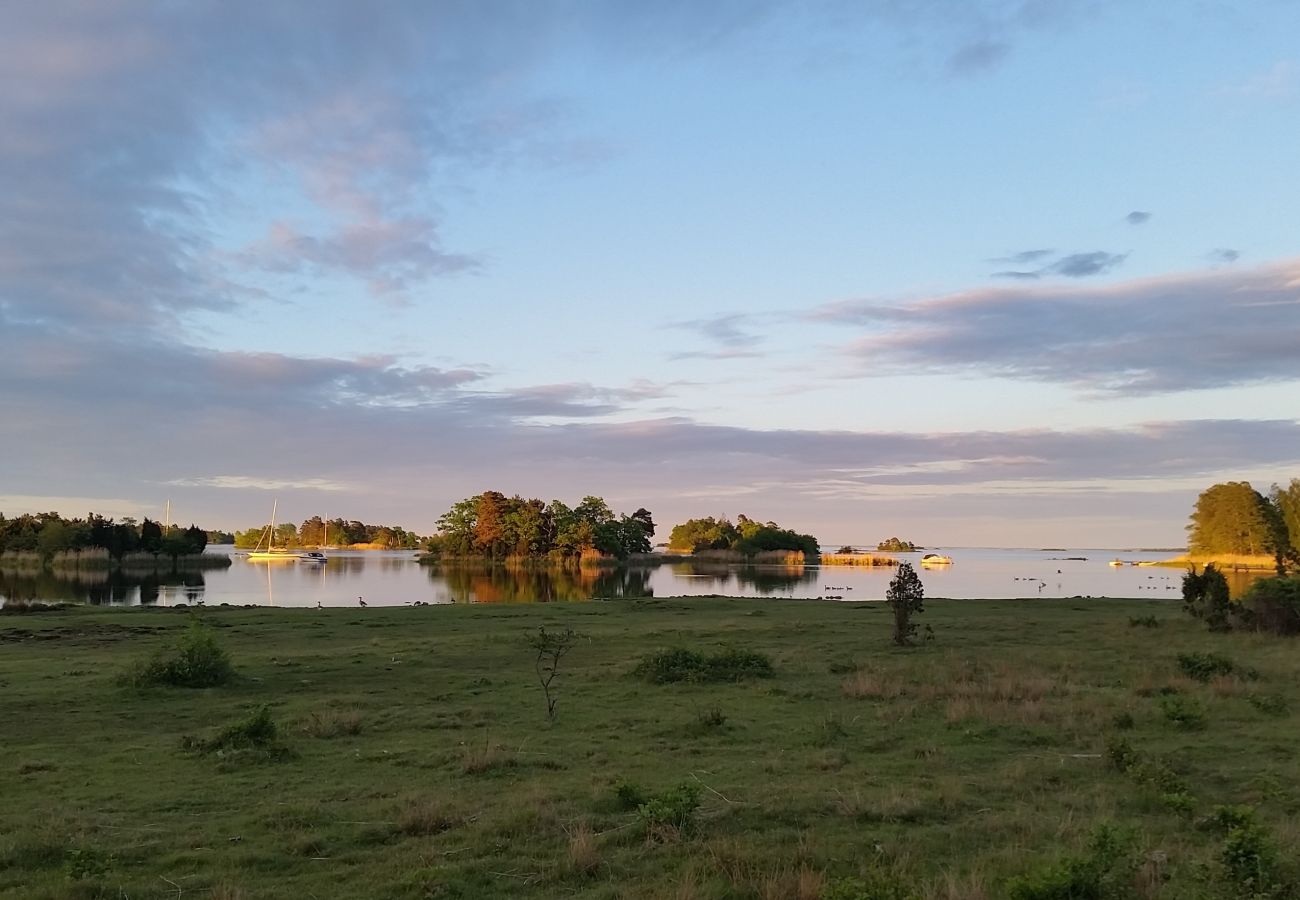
105, 587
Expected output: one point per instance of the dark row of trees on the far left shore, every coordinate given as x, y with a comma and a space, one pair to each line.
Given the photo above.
49, 534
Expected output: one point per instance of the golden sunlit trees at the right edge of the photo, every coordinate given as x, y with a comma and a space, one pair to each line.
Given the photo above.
1236, 518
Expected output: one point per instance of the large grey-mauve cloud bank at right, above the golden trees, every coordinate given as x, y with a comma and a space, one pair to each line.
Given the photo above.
1236, 327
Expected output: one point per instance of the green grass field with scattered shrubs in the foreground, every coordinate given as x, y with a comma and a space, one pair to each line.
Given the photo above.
415, 758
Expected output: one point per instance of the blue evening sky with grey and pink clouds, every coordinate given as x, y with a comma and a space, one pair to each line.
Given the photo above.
969, 272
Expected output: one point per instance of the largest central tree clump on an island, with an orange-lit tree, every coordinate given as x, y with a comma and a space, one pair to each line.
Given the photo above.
495, 526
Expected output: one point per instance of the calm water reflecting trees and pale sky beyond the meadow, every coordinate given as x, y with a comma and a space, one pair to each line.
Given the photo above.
395, 579
